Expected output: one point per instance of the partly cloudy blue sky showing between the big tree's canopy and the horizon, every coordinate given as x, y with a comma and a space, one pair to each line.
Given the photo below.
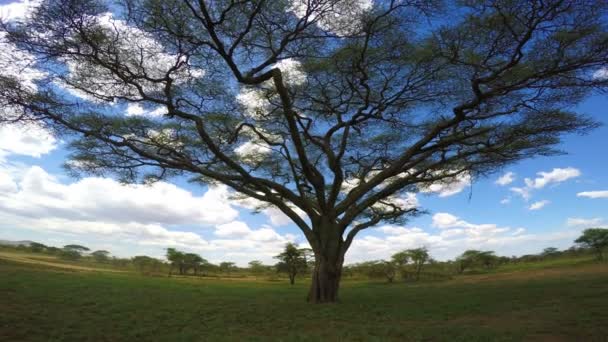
38, 201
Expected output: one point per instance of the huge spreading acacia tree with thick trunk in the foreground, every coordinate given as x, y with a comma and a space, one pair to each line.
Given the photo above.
329, 110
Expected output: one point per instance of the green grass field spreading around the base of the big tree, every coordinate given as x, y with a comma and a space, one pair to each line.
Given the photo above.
564, 302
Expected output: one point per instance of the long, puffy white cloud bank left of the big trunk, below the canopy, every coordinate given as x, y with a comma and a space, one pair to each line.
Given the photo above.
39, 194
